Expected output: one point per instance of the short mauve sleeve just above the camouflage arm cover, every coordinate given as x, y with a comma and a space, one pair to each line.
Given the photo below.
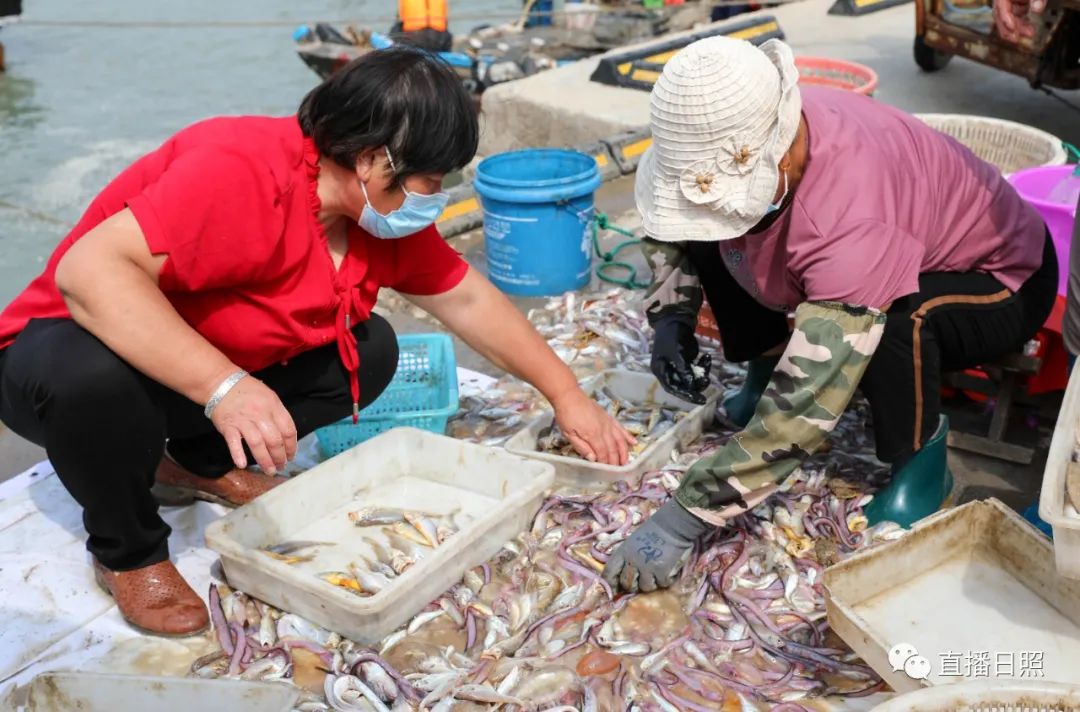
866, 263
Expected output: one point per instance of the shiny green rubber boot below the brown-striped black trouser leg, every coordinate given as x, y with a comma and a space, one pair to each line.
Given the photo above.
919, 489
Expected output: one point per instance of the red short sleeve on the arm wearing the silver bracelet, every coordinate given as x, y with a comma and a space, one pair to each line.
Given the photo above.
217, 214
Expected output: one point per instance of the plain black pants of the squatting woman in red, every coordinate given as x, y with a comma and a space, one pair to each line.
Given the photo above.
104, 424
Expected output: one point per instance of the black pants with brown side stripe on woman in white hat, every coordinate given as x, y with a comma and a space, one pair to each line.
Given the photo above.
956, 320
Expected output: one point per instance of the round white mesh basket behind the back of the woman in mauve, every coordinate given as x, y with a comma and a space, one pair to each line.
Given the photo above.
1008, 145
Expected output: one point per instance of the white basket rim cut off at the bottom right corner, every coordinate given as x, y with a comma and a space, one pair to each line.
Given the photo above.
989, 696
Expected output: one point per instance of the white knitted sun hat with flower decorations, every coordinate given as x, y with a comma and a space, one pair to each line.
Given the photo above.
723, 115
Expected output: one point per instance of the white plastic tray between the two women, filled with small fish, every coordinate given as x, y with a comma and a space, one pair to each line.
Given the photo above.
637, 388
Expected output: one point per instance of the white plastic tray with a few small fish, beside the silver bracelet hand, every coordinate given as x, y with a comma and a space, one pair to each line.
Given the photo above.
404, 468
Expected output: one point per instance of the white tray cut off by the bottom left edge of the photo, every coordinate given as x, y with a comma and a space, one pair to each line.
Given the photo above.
65, 692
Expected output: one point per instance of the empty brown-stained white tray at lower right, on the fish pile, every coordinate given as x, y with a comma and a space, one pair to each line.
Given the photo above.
974, 579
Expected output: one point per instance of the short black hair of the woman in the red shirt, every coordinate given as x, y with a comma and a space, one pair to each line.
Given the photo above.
404, 99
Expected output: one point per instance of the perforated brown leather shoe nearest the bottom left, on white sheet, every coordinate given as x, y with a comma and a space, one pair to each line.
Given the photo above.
155, 599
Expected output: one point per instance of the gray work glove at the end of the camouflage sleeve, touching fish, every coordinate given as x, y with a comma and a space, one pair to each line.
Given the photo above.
656, 552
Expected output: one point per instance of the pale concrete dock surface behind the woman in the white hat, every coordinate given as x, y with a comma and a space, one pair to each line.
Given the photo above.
564, 109
